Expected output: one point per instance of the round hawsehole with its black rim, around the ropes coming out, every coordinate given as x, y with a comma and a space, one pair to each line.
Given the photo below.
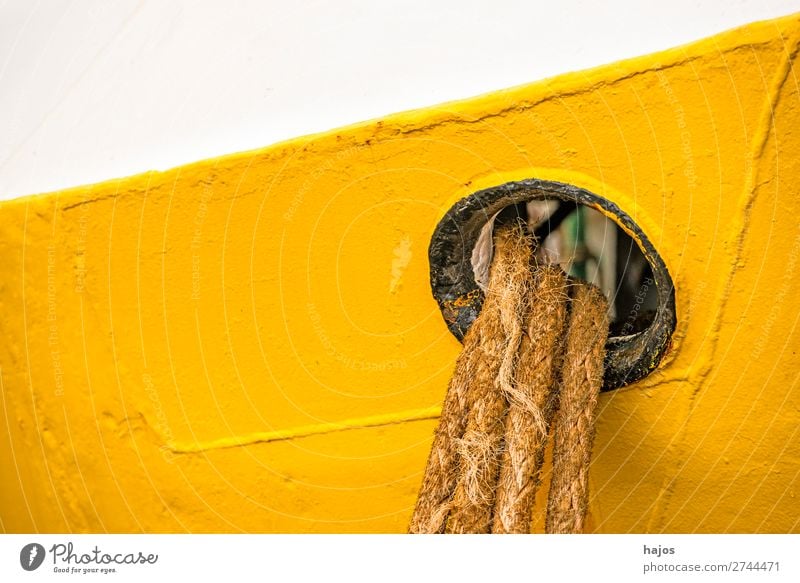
591, 237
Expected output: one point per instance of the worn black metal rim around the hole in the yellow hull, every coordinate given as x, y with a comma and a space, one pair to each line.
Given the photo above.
628, 358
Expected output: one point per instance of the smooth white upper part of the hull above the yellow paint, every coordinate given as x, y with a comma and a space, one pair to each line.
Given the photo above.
91, 90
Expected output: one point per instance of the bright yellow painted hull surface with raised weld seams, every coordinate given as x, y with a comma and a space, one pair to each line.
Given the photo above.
250, 343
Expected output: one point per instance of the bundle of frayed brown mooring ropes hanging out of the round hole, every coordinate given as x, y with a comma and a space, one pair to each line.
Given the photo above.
533, 355
